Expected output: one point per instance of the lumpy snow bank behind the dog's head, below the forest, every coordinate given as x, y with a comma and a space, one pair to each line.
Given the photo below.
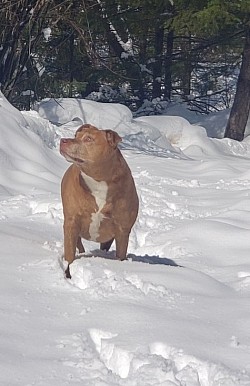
165, 136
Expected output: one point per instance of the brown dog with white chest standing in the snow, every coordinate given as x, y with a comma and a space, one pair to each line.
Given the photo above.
99, 198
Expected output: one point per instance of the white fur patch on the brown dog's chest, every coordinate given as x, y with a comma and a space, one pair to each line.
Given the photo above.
99, 190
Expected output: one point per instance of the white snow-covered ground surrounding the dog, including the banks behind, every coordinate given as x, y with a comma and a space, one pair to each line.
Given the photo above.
176, 313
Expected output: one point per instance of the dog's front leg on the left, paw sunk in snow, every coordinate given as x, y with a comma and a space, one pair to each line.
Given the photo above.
70, 242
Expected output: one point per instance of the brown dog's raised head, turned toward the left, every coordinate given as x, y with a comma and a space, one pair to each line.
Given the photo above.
89, 145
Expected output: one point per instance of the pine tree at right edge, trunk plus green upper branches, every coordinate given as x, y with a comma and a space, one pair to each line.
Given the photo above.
223, 21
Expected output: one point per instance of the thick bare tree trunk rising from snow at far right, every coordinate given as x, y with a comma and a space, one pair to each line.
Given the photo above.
241, 107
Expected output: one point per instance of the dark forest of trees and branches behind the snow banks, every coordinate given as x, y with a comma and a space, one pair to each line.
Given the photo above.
141, 53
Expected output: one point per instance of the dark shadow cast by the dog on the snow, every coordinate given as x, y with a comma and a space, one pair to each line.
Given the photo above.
140, 259
